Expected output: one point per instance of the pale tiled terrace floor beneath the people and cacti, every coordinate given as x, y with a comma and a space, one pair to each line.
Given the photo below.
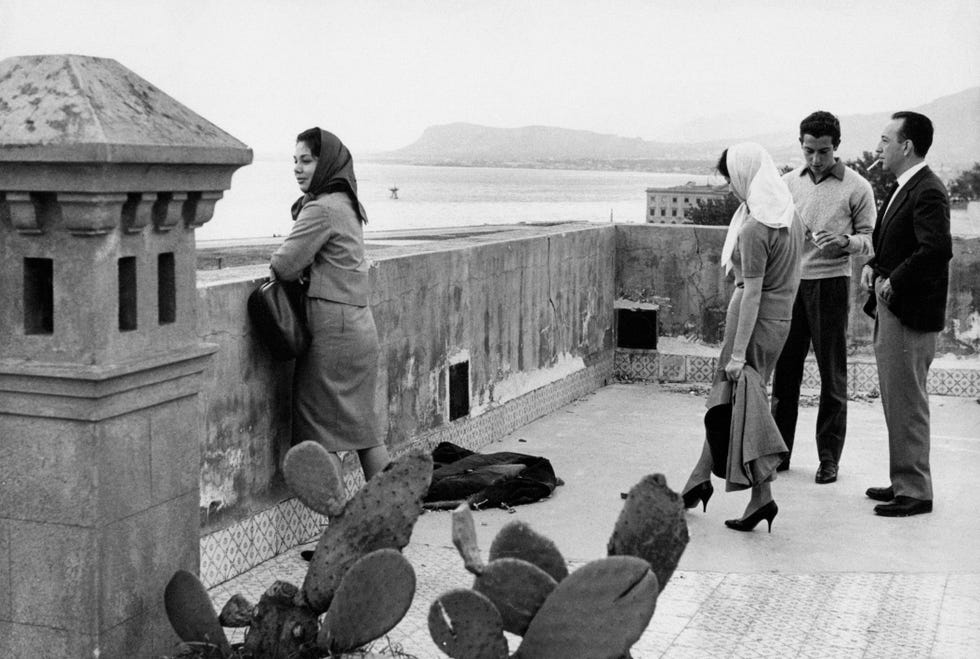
832, 580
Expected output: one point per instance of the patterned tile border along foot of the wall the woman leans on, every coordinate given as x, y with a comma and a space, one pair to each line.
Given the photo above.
238, 548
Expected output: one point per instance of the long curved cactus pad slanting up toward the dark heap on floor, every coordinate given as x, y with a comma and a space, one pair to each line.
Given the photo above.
381, 515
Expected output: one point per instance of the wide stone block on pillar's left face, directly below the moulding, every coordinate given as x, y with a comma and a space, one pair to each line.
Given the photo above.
48, 470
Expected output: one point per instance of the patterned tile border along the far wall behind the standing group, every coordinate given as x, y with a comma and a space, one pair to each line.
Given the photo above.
862, 377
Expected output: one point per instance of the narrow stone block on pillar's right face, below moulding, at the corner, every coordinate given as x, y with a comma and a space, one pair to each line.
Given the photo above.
124, 466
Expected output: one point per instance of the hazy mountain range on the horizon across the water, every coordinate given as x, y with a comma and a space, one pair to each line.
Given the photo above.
957, 143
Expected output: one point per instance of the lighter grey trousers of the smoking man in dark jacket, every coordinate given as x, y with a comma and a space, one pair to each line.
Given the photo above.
904, 356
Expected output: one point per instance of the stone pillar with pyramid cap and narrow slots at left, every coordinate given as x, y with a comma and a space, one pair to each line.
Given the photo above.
103, 179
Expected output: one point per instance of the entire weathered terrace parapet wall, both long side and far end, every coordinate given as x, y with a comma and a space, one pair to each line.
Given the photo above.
525, 308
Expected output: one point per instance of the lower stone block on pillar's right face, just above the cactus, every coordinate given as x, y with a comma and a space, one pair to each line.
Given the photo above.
141, 553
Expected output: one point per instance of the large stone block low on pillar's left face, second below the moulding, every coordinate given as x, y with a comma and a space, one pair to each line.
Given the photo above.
53, 579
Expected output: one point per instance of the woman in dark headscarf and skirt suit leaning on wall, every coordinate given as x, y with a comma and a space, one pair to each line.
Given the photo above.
334, 381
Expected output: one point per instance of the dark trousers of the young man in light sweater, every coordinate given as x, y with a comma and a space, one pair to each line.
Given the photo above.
819, 317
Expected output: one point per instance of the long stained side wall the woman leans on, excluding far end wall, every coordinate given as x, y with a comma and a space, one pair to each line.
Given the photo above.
525, 308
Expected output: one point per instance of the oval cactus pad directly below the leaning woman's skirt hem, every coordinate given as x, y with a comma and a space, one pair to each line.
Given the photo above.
313, 476
